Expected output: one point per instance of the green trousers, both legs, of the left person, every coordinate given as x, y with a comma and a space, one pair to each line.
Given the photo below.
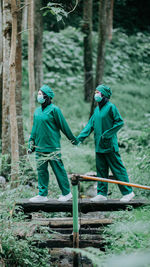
58, 168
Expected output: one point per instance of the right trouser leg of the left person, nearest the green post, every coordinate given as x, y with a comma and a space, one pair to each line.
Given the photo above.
61, 175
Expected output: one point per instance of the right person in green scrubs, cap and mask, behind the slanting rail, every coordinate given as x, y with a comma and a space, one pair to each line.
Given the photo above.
106, 121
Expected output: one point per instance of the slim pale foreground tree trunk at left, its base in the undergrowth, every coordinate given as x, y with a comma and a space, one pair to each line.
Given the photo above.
12, 91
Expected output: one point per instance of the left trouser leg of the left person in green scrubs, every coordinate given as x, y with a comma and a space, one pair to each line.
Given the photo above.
43, 174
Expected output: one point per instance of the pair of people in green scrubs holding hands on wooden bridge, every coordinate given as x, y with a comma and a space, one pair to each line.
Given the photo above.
45, 137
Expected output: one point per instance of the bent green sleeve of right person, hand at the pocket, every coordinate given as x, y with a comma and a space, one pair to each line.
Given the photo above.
117, 123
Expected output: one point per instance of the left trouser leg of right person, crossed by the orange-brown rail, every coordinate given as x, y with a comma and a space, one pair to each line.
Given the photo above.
102, 171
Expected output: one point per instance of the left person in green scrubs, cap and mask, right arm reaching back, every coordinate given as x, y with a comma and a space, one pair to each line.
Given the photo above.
45, 140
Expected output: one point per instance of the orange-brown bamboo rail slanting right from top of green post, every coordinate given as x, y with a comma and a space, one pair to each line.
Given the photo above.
99, 179
